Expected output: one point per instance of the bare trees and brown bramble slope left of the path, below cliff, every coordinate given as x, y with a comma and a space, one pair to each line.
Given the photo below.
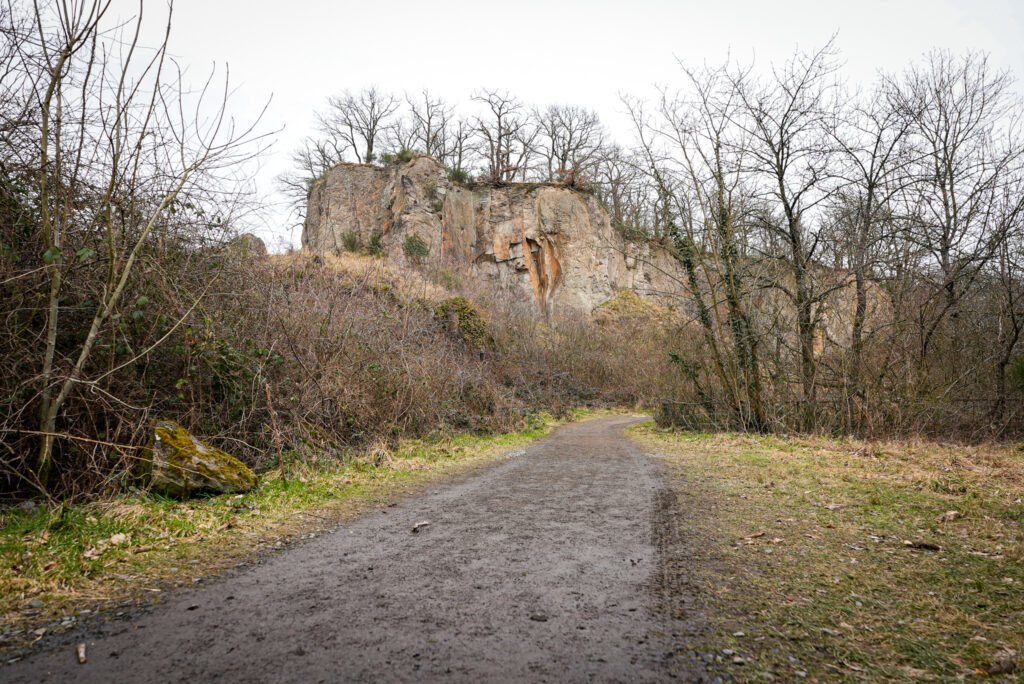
126, 297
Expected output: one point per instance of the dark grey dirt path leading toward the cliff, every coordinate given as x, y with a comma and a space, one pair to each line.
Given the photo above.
544, 568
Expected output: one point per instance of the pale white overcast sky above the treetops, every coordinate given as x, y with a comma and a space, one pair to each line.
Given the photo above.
544, 52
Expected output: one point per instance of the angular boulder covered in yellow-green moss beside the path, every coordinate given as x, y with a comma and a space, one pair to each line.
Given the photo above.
177, 464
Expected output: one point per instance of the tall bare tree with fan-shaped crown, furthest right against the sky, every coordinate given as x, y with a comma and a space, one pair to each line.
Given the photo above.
966, 124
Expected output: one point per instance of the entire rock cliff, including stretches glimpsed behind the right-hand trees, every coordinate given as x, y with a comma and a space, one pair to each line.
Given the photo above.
540, 243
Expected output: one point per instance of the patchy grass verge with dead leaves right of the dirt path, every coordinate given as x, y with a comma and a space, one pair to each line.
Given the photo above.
854, 562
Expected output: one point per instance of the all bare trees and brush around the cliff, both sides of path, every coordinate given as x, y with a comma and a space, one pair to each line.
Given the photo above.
851, 262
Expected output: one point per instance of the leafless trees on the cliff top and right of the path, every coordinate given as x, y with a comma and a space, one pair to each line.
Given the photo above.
851, 259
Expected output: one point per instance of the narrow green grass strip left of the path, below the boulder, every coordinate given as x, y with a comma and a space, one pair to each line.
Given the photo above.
59, 564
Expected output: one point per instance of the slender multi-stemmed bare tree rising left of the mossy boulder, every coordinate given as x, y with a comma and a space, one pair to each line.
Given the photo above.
122, 146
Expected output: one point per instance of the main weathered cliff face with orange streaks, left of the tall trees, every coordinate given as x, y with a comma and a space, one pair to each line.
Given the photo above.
546, 243
